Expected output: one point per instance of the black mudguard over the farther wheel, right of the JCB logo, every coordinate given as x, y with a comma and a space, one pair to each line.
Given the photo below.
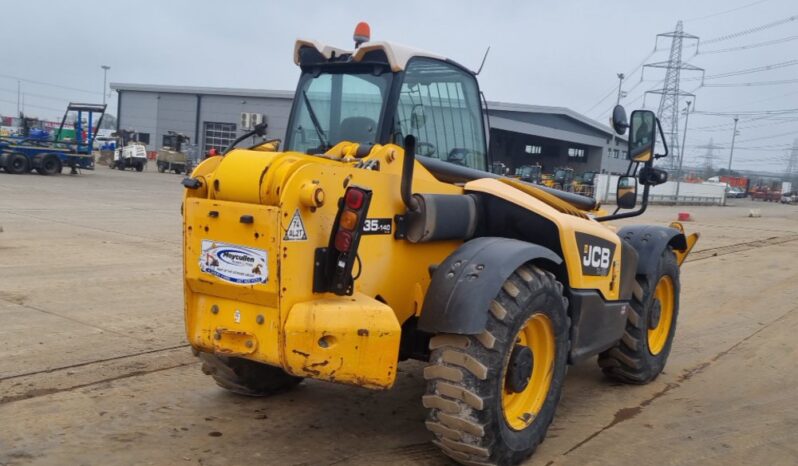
650, 241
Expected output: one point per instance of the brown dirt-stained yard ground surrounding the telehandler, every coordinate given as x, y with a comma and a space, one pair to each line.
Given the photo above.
94, 368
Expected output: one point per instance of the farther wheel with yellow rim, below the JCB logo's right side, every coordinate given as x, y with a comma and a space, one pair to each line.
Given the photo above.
643, 351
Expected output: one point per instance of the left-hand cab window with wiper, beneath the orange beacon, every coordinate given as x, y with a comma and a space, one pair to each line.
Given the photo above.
334, 107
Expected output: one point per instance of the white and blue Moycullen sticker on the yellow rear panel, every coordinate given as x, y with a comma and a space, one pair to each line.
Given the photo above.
234, 264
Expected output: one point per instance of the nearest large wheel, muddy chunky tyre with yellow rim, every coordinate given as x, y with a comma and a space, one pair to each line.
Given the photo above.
492, 396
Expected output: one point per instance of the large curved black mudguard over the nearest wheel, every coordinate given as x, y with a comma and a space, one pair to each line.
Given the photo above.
464, 284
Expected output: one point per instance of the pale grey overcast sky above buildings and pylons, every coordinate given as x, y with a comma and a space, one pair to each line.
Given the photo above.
549, 52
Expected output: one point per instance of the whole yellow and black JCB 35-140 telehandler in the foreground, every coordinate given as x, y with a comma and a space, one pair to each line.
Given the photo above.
377, 234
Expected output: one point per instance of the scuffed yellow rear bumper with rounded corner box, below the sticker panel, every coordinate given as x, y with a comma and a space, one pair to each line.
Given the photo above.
353, 340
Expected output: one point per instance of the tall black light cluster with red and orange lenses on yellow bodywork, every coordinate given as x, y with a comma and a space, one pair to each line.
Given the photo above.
335, 268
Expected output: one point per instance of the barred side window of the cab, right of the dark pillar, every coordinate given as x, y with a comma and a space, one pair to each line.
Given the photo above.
439, 105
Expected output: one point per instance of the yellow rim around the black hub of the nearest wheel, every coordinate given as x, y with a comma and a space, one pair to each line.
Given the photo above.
521, 408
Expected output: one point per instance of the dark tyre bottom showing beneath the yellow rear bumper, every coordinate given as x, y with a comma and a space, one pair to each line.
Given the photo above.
247, 377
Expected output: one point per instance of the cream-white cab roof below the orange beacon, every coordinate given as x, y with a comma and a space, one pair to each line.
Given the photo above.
397, 55
